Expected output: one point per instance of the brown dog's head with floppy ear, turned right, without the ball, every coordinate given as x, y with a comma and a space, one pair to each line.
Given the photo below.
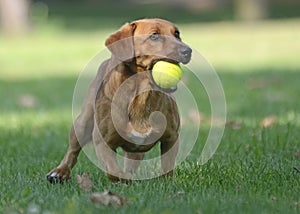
146, 41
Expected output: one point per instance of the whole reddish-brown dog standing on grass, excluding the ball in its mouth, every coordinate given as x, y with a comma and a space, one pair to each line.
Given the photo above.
124, 106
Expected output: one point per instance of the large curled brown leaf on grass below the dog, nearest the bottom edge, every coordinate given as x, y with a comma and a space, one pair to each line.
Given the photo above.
108, 198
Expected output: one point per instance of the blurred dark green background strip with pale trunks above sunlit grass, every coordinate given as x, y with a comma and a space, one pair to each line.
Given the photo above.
21, 15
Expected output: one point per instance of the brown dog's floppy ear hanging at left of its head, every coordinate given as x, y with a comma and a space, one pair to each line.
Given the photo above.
121, 42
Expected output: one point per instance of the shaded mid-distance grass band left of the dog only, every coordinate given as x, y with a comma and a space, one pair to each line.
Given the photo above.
39, 94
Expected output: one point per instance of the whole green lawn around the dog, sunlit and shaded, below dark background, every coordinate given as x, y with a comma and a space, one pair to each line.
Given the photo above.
252, 171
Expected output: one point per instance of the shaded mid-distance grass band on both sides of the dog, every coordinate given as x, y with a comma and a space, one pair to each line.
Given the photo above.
248, 94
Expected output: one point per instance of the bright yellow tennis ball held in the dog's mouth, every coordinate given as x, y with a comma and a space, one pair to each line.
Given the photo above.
166, 74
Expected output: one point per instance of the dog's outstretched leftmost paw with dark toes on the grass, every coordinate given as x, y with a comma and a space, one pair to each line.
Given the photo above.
59, 174
